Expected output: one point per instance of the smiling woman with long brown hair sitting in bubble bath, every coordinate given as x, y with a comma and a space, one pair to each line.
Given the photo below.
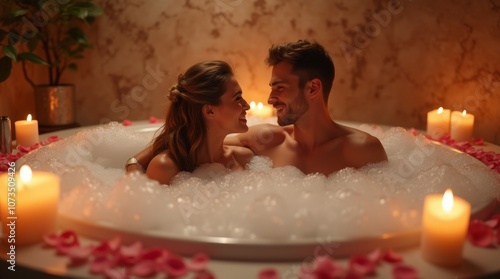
206, 106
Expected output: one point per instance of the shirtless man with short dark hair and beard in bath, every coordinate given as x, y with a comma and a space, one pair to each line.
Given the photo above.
307, 138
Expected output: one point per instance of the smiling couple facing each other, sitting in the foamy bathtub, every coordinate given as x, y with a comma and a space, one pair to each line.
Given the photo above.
207, 105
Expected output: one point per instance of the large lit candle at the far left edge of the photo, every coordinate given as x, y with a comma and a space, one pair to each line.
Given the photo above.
28, 205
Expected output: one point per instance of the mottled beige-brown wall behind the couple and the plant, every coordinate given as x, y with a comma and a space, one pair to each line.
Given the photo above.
395, 60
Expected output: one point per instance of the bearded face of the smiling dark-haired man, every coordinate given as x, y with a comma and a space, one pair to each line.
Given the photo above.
286, 96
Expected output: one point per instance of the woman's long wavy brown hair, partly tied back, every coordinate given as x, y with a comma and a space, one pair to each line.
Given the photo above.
185, 129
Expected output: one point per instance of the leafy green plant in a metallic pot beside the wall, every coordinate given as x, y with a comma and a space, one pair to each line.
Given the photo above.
51, 33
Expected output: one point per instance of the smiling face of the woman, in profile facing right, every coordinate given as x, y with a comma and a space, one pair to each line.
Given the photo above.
231, 113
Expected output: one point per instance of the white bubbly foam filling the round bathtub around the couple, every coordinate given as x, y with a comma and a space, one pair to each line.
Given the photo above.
261, 204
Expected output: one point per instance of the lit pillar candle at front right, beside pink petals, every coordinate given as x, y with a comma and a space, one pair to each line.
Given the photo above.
445, 220
